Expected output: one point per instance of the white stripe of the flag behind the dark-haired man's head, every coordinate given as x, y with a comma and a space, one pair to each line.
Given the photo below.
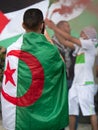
14, 27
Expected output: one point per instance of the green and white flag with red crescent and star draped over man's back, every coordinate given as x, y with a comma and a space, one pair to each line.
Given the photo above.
34, 89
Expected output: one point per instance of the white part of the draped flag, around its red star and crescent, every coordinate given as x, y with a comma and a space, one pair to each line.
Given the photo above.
8, 118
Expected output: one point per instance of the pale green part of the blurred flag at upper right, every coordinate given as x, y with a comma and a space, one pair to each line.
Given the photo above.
88, 17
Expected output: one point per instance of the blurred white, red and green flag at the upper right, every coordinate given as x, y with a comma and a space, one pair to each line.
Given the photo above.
79, 14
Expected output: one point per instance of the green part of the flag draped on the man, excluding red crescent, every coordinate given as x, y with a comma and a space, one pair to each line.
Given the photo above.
50, 111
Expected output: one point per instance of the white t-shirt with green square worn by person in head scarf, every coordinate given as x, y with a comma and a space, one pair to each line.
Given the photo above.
84, 62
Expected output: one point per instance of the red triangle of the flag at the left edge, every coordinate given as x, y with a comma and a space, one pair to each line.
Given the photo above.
3, 21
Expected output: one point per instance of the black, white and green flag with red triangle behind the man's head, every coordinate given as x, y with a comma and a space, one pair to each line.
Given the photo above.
11, 18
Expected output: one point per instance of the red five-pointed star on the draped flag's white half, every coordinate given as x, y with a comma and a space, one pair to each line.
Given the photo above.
8, 73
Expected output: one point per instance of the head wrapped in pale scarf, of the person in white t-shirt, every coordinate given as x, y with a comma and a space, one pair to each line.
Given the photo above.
89, 33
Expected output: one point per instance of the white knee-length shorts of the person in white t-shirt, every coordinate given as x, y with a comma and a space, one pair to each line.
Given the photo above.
82, 96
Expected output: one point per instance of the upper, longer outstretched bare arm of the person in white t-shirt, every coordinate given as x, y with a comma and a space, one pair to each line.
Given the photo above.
67, 36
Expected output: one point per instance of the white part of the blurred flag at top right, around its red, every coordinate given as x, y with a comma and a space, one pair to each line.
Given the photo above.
56, 17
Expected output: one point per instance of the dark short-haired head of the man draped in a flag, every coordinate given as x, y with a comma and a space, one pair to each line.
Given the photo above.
33, 20
